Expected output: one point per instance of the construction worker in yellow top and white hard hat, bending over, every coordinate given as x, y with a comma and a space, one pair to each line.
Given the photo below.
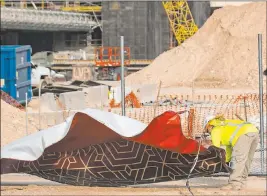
241, 140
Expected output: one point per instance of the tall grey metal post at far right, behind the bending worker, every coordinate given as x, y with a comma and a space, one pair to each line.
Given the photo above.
261, 100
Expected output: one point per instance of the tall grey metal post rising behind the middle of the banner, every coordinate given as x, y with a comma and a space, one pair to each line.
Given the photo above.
122, 78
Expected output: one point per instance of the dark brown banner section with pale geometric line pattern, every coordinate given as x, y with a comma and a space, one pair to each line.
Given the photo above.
121, 163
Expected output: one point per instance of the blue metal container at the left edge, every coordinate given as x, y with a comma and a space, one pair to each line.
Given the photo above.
16, 72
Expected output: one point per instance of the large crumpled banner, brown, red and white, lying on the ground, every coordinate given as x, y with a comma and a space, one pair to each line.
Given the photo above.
97, 148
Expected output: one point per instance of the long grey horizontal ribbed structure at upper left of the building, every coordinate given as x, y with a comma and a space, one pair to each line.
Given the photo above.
16, 18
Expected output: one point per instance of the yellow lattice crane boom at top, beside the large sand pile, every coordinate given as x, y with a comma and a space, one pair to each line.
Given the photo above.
181, 19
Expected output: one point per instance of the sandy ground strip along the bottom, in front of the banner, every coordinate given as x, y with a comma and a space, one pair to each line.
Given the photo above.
22, 184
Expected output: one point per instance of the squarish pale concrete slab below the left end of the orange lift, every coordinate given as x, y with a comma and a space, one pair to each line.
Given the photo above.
96, 96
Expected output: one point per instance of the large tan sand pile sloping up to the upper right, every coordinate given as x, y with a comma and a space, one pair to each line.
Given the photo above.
222, 54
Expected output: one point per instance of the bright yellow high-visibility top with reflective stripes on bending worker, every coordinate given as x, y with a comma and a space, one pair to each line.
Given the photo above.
228, 134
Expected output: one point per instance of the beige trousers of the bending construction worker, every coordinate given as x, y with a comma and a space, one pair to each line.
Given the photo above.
242, 157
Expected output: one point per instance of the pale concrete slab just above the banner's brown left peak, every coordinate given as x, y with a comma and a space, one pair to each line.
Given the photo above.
73, 100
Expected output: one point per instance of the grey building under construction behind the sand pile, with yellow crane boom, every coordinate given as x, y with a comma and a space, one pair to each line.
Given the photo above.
149, 28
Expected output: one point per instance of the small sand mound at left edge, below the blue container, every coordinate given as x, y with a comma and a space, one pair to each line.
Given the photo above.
13, 124
